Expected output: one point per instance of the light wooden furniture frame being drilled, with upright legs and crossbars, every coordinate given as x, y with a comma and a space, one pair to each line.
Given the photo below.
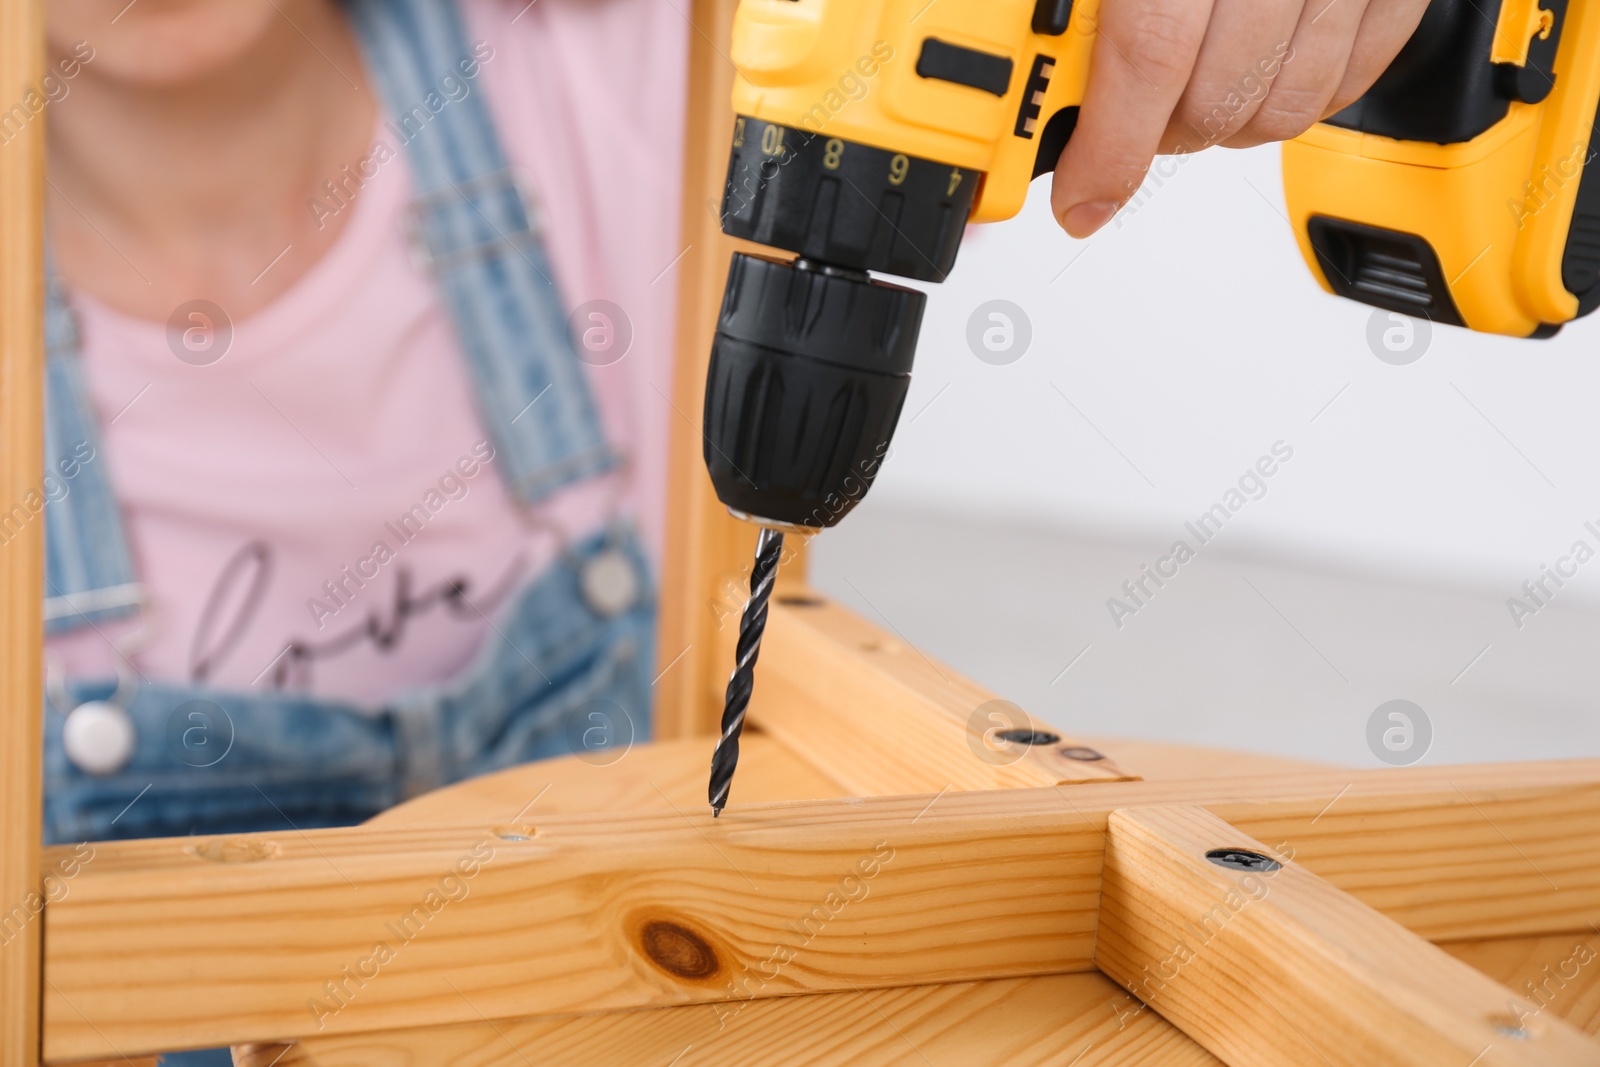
916, 890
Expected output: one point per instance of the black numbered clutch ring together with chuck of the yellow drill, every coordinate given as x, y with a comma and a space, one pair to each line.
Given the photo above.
812, 358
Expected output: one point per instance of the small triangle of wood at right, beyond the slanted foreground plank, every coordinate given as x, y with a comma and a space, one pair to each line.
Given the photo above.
1558, 973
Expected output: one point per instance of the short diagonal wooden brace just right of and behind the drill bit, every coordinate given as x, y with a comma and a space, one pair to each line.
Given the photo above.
884, 719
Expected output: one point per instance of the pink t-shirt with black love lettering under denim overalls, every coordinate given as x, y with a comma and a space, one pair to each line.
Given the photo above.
252, 484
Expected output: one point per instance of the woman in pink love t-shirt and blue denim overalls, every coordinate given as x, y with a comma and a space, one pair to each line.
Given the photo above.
348, 514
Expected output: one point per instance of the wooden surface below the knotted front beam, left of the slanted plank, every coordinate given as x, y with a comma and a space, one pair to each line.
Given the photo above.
1052, 1021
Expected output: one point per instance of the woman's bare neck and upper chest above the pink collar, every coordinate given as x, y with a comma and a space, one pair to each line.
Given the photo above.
162, 194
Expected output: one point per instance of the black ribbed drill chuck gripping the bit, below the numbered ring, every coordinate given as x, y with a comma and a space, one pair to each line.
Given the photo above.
809, 375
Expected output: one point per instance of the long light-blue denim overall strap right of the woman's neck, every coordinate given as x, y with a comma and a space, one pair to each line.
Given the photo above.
474, 230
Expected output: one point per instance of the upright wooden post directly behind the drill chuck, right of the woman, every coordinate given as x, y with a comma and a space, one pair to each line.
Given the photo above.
706, 551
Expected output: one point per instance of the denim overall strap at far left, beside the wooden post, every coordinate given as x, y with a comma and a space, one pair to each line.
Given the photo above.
89, 570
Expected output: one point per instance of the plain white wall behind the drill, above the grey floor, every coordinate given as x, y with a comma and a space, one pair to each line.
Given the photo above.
1193, 337
